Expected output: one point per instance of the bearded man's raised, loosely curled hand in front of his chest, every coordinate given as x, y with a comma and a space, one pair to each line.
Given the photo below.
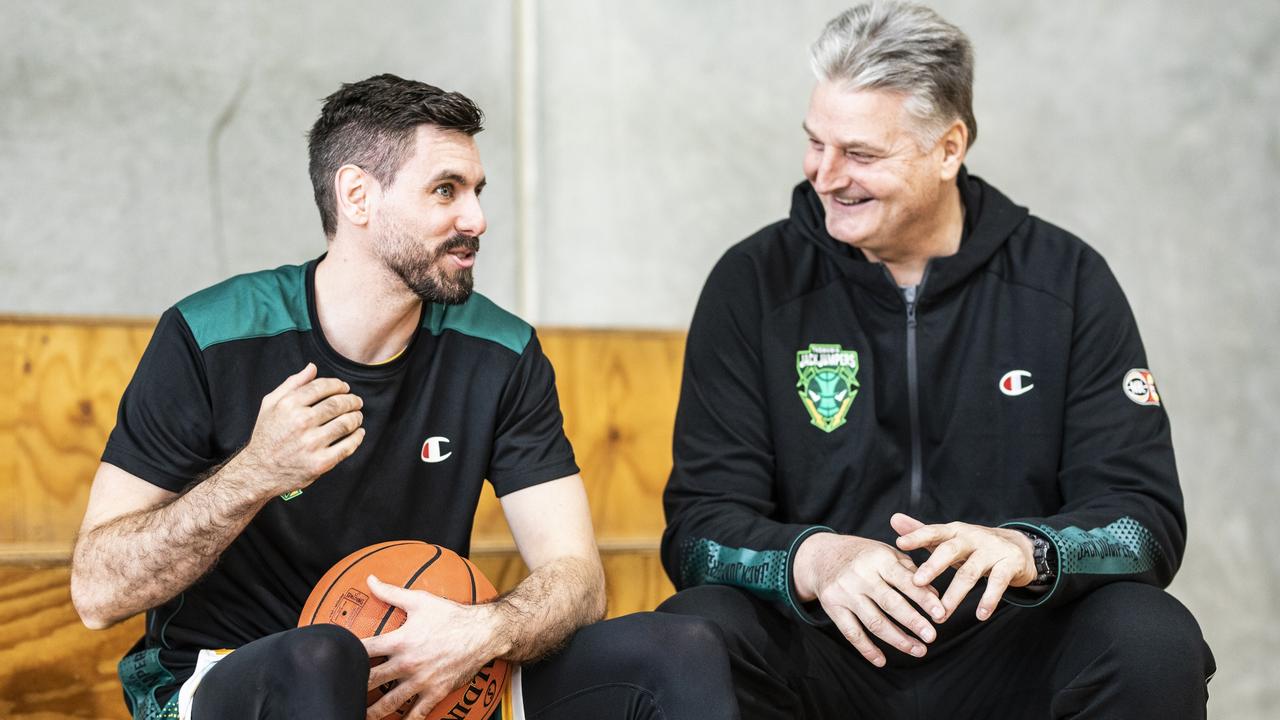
304, 430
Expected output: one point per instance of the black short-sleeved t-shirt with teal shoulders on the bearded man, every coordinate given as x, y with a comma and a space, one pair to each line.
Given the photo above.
472, 398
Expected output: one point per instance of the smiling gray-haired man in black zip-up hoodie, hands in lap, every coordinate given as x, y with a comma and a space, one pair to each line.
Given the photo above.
911, 402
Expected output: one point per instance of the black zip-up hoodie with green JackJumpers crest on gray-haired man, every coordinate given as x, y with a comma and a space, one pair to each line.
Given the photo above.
1013, 391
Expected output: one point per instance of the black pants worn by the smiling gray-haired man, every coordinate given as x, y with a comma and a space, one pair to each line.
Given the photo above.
1126, 651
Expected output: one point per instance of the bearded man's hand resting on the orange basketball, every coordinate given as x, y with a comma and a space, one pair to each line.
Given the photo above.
440, 648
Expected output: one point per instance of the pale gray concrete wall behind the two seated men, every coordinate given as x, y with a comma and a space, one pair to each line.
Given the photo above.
152, 149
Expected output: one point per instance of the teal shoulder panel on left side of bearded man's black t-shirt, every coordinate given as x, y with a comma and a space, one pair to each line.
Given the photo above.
263, 304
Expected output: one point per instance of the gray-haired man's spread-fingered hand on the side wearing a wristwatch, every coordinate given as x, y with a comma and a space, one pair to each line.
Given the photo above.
1002, 555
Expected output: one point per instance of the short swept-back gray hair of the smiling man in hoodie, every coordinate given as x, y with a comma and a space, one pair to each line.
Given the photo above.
908, 49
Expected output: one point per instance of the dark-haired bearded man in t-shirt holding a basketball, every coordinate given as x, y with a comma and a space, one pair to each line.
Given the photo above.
284, 420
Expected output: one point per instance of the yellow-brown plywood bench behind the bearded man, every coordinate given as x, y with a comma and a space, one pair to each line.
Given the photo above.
63, 379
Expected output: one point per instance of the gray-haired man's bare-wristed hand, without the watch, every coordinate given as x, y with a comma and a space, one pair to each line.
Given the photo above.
862, 585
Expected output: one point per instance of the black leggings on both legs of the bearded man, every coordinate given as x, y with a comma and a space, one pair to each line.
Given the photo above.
641, 667
